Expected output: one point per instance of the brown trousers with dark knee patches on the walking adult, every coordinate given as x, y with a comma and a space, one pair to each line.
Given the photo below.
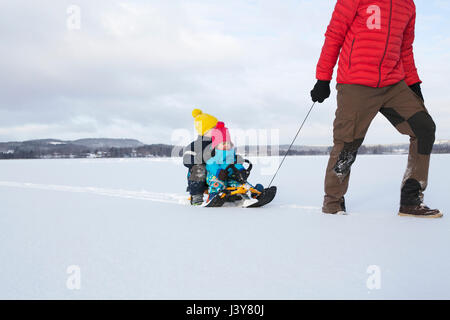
357, 107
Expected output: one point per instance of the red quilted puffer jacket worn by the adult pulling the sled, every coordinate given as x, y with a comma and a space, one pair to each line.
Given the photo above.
374, 38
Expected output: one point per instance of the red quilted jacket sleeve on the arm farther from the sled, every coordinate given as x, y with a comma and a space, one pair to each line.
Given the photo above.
407, 53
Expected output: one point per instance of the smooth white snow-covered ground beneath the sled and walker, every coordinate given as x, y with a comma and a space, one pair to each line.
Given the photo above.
125, 225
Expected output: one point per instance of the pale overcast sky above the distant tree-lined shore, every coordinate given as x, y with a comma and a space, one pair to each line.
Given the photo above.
136, 69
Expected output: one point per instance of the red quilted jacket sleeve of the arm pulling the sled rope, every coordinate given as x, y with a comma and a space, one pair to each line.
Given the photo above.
342, 18
